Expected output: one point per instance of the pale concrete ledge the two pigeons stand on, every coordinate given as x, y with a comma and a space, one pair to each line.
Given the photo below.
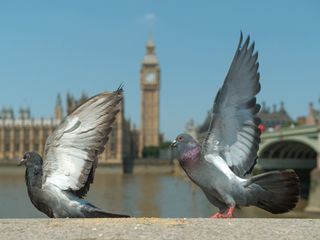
154, 228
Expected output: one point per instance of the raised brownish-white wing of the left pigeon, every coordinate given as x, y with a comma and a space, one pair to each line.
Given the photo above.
71, 151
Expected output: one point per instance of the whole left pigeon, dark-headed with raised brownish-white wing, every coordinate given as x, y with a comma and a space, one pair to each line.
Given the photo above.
58, 182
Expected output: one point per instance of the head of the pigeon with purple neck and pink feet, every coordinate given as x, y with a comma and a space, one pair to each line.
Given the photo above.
186, 147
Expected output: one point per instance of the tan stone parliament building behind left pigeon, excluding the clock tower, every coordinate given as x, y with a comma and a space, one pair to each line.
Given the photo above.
22, 134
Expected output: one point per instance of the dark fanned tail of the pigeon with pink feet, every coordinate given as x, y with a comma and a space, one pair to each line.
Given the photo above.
275, 192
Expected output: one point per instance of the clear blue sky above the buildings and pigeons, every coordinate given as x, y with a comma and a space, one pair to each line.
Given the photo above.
47, 47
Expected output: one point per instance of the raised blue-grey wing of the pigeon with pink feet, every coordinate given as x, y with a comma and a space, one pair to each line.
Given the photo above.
233, 133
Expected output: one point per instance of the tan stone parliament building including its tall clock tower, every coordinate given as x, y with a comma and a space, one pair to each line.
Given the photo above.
24, 133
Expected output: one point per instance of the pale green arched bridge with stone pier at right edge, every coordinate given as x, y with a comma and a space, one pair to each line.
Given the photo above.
297, 148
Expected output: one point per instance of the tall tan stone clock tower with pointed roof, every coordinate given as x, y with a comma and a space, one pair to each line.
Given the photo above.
150, 86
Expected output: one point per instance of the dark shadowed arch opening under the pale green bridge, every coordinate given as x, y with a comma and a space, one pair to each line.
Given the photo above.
299, 154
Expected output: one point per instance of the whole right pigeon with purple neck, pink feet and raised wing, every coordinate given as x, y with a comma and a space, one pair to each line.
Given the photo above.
222, 164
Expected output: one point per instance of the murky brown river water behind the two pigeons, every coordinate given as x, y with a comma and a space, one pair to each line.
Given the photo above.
139, 195
